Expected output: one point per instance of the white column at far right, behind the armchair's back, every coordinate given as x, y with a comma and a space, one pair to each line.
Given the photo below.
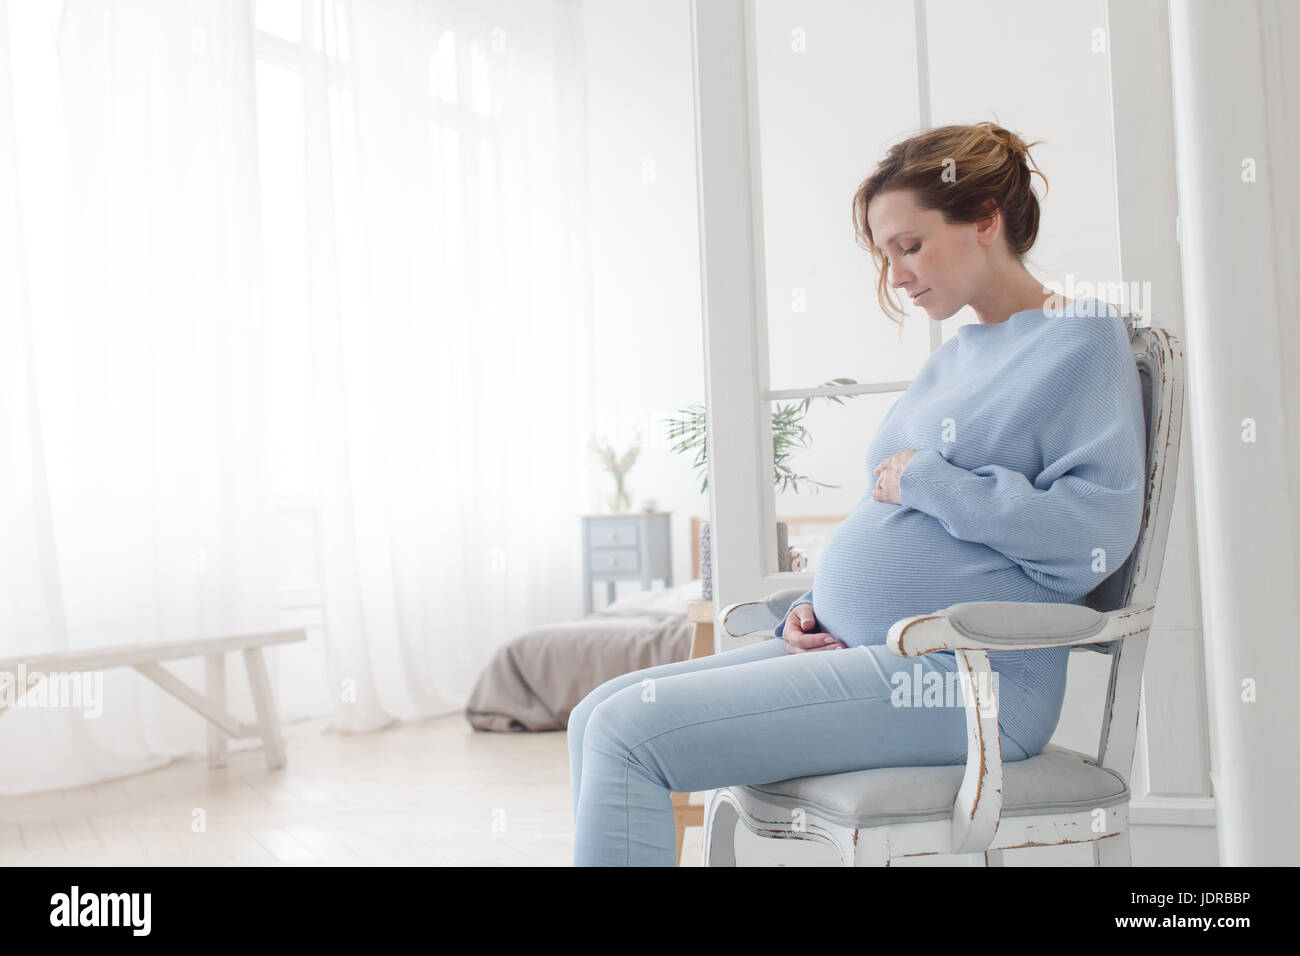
1240, 289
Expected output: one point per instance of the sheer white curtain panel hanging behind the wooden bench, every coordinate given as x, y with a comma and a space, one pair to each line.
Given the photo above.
136, 478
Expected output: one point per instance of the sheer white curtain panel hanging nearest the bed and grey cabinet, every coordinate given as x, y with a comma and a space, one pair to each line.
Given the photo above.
445, 271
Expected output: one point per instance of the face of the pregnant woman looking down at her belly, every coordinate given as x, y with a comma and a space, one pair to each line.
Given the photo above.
926, 257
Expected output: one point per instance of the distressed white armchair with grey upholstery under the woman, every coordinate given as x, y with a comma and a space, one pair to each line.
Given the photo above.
1059, 797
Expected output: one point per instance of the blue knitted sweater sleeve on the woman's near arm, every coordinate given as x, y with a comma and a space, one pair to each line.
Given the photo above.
1078, 521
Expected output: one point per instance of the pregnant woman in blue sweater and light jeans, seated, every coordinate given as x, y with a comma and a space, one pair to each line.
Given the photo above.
1011, 470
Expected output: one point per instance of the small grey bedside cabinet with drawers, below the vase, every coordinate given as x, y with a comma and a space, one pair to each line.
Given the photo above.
622, 548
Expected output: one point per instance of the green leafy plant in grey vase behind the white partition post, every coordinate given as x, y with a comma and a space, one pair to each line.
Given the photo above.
788, 435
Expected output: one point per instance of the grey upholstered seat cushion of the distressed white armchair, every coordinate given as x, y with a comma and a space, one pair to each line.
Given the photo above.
1058, 780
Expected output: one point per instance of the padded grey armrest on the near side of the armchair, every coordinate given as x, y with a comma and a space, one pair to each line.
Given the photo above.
1015, 626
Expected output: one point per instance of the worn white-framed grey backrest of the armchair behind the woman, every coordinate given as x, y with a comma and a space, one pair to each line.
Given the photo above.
1160, 373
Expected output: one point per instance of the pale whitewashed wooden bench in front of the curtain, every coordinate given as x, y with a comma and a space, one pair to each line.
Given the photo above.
148, 659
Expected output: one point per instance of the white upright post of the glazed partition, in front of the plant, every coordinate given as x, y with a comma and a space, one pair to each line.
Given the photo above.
742, 508
